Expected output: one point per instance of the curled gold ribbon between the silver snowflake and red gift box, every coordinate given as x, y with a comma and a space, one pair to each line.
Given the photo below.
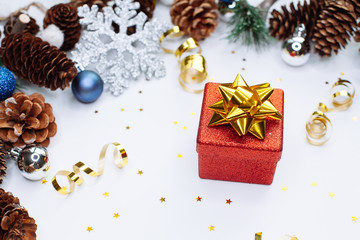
193, 68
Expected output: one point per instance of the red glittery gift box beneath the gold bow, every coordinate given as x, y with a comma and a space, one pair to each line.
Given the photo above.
224, 155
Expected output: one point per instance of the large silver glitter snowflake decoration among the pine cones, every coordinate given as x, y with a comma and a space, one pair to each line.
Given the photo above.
119, 57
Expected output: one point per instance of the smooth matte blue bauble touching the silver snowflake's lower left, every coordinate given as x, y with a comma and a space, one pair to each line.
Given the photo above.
87, 86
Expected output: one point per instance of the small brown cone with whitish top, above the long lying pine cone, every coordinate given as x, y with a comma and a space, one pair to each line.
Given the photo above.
18, 23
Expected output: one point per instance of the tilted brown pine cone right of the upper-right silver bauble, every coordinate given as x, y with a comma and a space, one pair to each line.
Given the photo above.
335, 25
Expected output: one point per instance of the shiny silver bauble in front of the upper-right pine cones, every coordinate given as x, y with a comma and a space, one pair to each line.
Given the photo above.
296, 50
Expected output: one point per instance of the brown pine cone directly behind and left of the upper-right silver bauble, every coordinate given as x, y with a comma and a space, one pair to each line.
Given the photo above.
283, 24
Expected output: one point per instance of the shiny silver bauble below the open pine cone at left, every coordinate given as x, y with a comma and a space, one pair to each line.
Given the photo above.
33, 161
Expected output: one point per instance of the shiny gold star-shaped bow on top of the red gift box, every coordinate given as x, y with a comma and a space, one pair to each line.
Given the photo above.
245, 108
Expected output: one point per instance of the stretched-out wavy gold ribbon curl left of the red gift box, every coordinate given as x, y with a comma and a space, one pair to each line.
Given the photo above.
120, 159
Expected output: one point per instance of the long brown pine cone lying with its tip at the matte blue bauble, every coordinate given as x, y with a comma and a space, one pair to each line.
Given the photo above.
32, 59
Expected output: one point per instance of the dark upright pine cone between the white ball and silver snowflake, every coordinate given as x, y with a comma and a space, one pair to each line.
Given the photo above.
65, 17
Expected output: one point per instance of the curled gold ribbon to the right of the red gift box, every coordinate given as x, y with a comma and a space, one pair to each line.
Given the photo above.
319, 127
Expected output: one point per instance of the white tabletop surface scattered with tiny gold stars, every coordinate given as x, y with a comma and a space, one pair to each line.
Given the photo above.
154, 141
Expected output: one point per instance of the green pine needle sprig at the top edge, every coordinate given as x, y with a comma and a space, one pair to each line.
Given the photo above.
248, 25
